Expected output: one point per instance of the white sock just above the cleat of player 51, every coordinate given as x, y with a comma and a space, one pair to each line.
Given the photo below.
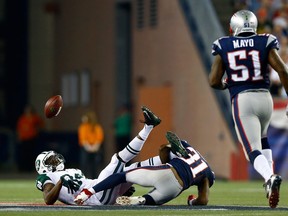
261, 165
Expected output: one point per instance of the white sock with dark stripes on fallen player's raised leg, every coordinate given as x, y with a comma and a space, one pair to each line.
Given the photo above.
135, 146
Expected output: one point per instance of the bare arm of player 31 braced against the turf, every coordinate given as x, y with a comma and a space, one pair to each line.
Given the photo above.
203, 194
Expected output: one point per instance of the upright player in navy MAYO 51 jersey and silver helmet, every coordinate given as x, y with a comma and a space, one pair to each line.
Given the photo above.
245, 56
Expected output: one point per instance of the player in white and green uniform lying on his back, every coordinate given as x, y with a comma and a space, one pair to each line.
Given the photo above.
58, 183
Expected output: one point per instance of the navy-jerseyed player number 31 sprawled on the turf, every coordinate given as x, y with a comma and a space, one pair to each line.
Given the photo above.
185, 169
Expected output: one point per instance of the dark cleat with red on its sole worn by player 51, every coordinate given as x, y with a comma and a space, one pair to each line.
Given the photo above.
272, 188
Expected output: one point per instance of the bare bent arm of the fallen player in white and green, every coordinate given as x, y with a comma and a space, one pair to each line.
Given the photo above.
51, 192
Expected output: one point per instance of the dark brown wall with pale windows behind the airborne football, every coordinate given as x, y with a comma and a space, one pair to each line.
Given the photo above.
68, 37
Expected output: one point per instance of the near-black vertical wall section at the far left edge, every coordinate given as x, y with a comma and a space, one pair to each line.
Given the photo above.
13, 61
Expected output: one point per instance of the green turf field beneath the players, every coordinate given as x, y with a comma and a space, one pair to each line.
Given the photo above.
223, 194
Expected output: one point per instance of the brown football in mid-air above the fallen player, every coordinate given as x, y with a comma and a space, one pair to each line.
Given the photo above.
53, 106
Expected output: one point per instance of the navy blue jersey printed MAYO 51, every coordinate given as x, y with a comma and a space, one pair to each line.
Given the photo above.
246, 60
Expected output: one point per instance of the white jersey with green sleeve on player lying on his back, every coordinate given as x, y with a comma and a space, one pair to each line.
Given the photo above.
67, 196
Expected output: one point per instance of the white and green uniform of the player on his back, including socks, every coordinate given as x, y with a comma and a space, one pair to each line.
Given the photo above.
116, 165
